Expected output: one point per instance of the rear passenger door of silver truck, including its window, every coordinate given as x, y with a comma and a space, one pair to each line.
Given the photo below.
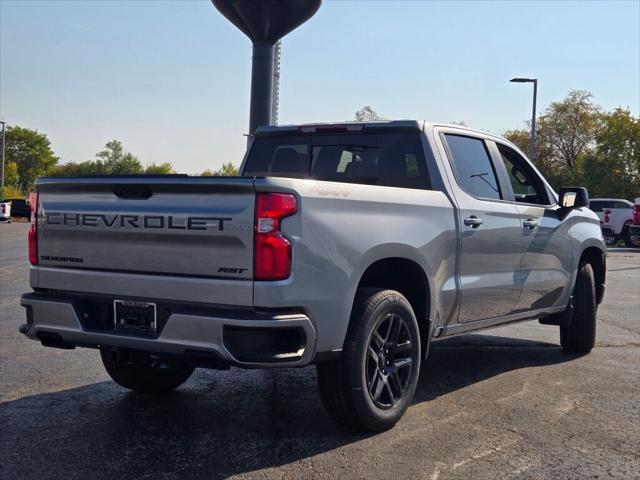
491, 242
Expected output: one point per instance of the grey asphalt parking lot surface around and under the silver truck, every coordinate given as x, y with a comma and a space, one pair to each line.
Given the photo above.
505, 403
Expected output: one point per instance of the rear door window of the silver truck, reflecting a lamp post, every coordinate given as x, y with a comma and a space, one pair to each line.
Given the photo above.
473, 168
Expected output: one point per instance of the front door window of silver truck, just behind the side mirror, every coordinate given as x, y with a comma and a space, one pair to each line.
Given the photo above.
526, 184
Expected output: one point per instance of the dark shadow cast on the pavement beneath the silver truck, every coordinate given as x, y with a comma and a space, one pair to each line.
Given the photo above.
219, 423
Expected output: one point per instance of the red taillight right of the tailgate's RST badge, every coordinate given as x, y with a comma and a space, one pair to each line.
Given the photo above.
272, 255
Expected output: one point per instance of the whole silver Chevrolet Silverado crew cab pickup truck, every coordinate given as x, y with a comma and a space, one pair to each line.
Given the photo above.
347, 246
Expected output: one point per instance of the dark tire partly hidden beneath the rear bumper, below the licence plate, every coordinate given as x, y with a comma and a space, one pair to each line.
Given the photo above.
141, 372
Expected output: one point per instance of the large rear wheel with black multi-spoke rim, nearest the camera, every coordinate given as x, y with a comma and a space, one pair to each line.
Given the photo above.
370, 386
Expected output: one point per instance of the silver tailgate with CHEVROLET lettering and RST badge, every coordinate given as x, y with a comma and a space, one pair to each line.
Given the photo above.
198, 227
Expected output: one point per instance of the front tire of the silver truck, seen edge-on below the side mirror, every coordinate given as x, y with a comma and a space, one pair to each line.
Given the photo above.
580, 335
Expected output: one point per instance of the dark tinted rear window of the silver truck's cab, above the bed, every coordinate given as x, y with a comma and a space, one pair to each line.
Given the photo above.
387, 159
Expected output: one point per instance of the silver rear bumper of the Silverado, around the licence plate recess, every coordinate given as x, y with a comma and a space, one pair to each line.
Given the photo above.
288, 339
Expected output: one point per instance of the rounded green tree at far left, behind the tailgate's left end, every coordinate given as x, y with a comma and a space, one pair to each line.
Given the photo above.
31, 151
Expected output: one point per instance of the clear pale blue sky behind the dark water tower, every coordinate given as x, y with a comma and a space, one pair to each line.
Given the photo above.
171, 79
